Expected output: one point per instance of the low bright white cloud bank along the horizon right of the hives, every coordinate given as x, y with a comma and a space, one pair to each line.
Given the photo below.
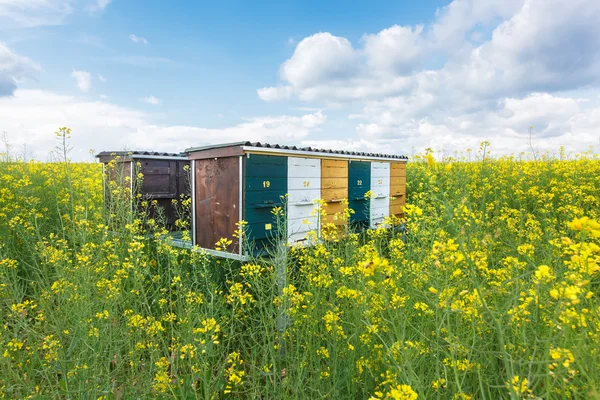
557, 121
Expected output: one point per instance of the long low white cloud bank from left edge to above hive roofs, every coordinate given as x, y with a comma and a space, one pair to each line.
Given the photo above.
31, 116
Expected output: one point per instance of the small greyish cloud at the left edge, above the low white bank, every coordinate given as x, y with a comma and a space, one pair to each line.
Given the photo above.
14, 68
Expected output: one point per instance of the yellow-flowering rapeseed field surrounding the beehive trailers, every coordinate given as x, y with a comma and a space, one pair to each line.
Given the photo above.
492, 291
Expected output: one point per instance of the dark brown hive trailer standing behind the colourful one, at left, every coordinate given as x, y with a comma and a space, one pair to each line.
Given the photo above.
164, 176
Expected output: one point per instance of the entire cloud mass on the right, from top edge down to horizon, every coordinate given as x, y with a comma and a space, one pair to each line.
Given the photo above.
480, 71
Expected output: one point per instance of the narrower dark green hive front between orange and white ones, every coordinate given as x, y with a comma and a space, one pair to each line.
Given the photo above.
359, 182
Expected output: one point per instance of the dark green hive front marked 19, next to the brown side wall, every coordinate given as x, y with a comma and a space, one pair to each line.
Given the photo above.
265, 185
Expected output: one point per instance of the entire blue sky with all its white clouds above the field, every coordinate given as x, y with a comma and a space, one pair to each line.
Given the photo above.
382, 76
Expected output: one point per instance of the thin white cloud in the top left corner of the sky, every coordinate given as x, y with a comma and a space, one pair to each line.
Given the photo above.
31, 13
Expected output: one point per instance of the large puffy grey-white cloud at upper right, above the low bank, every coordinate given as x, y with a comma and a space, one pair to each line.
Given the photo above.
536, 45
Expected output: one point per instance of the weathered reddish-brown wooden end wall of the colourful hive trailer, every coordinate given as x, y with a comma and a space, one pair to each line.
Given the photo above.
217, 208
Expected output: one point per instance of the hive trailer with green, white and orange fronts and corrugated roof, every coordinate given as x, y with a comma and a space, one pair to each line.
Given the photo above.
246, 181
